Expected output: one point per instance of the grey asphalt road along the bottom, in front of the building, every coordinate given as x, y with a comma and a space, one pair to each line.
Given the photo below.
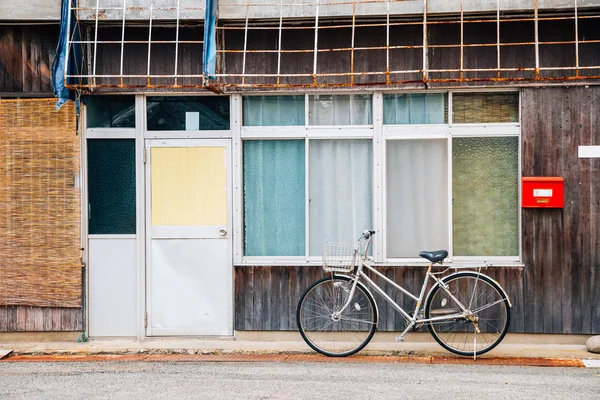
271, 380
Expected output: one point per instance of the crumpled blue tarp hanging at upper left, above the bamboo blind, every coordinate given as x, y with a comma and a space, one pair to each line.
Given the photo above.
75, 57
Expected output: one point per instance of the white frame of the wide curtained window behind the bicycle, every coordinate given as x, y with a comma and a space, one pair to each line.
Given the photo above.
380, 134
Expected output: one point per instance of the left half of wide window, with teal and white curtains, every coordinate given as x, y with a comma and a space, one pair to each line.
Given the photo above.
314, 186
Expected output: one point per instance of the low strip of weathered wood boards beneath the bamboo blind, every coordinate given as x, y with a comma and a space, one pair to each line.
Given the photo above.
40, 319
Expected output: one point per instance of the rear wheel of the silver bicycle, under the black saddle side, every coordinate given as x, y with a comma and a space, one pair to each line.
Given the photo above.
484, 298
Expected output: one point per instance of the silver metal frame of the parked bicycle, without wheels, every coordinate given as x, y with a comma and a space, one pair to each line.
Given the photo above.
411, 319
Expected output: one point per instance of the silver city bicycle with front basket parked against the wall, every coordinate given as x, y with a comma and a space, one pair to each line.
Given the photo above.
467, 312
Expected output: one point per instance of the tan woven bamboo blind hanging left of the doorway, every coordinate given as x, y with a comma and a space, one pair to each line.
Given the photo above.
40, 256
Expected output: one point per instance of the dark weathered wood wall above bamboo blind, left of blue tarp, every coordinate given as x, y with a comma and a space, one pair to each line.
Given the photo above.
26, 55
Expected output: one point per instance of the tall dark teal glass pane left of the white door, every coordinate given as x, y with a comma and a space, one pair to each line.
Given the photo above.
111, 186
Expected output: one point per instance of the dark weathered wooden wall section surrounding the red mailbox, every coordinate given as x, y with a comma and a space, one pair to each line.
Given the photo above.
560, 246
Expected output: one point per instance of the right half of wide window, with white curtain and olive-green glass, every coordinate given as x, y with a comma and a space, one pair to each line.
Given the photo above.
455, 188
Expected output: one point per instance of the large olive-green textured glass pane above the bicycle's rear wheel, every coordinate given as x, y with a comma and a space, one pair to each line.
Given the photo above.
485, 215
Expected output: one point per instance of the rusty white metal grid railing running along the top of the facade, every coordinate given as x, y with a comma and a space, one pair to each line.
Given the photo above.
352, 22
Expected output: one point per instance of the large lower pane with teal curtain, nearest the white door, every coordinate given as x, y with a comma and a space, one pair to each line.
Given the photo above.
274, 198
